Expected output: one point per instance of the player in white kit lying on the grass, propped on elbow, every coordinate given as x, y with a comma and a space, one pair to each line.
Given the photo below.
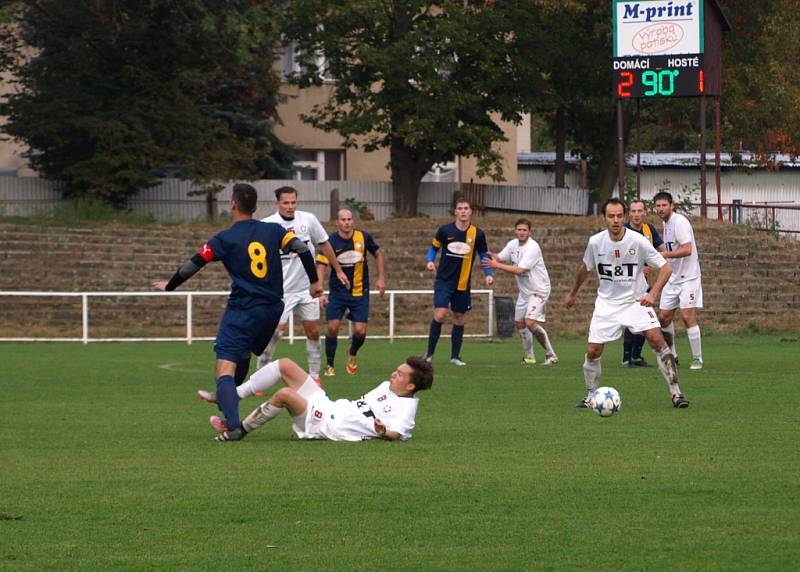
387, 412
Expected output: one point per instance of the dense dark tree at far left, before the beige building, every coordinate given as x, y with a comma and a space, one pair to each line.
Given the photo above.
111, 93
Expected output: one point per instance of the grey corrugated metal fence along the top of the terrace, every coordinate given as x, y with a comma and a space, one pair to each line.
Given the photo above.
171, 201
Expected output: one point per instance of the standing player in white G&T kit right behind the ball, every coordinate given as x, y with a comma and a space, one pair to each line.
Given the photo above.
619, 255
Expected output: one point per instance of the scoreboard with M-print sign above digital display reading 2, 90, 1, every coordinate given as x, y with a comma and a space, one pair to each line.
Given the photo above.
658, 48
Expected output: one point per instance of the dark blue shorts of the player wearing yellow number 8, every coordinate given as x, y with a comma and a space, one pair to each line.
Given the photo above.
243, 331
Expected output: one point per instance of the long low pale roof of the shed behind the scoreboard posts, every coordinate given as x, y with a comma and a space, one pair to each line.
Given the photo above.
666, 159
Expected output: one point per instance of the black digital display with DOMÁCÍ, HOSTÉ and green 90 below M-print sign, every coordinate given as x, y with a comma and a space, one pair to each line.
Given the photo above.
658, 76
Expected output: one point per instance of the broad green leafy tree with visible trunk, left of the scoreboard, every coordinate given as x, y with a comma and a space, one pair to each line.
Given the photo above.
422, 79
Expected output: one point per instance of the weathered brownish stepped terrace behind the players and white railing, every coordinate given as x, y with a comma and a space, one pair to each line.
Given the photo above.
737, 265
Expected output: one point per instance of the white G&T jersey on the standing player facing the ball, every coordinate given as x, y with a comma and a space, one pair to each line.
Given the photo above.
620, 264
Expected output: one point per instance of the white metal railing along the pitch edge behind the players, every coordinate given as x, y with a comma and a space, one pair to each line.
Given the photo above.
390, 299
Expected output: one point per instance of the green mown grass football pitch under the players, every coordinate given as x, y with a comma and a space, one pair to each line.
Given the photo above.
107, 464
